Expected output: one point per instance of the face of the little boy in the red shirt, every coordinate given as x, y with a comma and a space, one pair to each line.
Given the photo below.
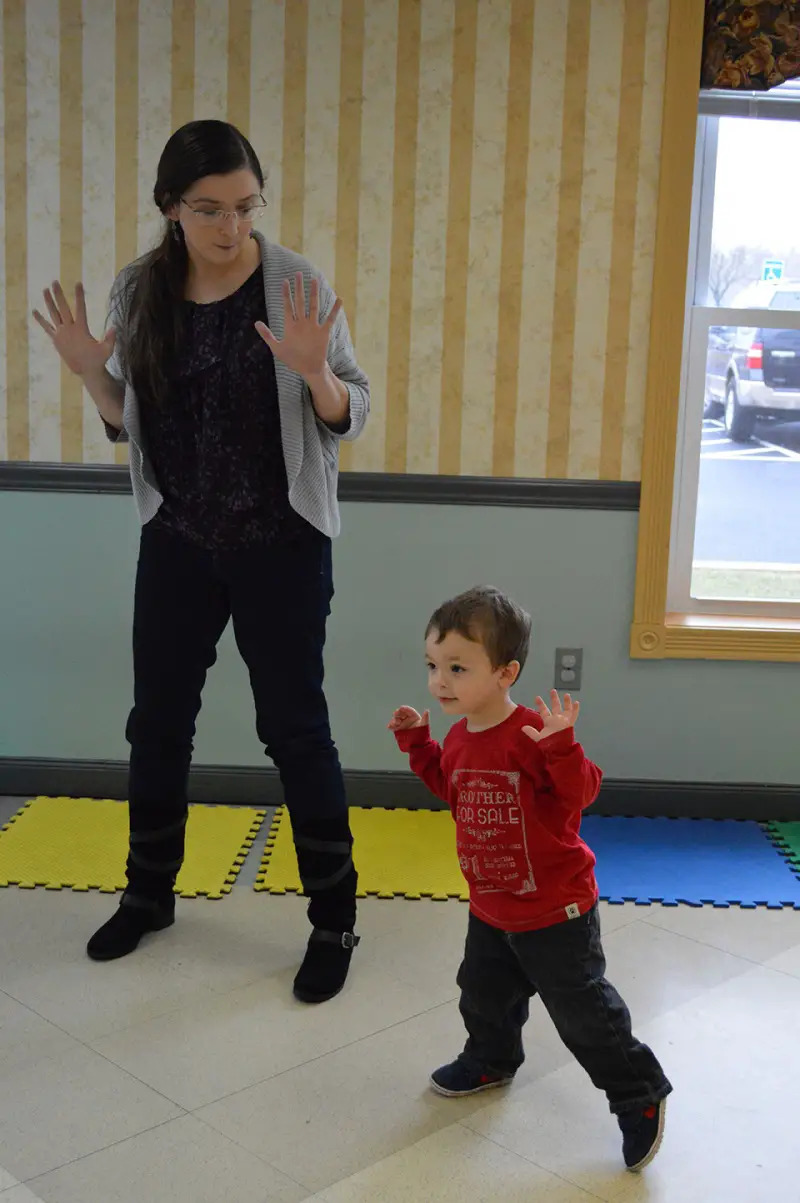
461, 677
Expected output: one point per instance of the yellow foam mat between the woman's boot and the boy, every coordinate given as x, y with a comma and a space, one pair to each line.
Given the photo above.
398, 854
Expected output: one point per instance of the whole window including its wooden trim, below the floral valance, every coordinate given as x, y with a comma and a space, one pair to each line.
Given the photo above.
719, 572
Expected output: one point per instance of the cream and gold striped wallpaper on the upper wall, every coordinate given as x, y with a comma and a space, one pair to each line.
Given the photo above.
477, 177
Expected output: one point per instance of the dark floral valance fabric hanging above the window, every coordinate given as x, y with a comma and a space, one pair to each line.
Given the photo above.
752, 46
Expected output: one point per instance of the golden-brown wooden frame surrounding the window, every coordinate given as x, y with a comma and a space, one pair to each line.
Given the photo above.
657, 632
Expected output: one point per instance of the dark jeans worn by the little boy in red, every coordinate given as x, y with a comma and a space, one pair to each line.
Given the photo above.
566, 967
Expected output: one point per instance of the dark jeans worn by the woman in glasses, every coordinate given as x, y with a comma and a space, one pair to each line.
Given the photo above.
278, 598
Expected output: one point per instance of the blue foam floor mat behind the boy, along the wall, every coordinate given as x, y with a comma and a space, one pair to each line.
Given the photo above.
718, 862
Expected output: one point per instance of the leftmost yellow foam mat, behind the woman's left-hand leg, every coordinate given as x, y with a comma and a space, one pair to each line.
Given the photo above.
82, 844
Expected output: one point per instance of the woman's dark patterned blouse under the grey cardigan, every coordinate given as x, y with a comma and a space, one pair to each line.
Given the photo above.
216, 445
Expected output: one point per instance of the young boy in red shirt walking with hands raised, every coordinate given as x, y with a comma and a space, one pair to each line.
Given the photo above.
517, 784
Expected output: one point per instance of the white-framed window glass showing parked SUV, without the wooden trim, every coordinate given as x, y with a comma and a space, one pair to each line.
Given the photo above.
736, 538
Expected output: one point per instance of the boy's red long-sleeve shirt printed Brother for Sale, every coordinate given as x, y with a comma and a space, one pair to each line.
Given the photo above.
518, 809
